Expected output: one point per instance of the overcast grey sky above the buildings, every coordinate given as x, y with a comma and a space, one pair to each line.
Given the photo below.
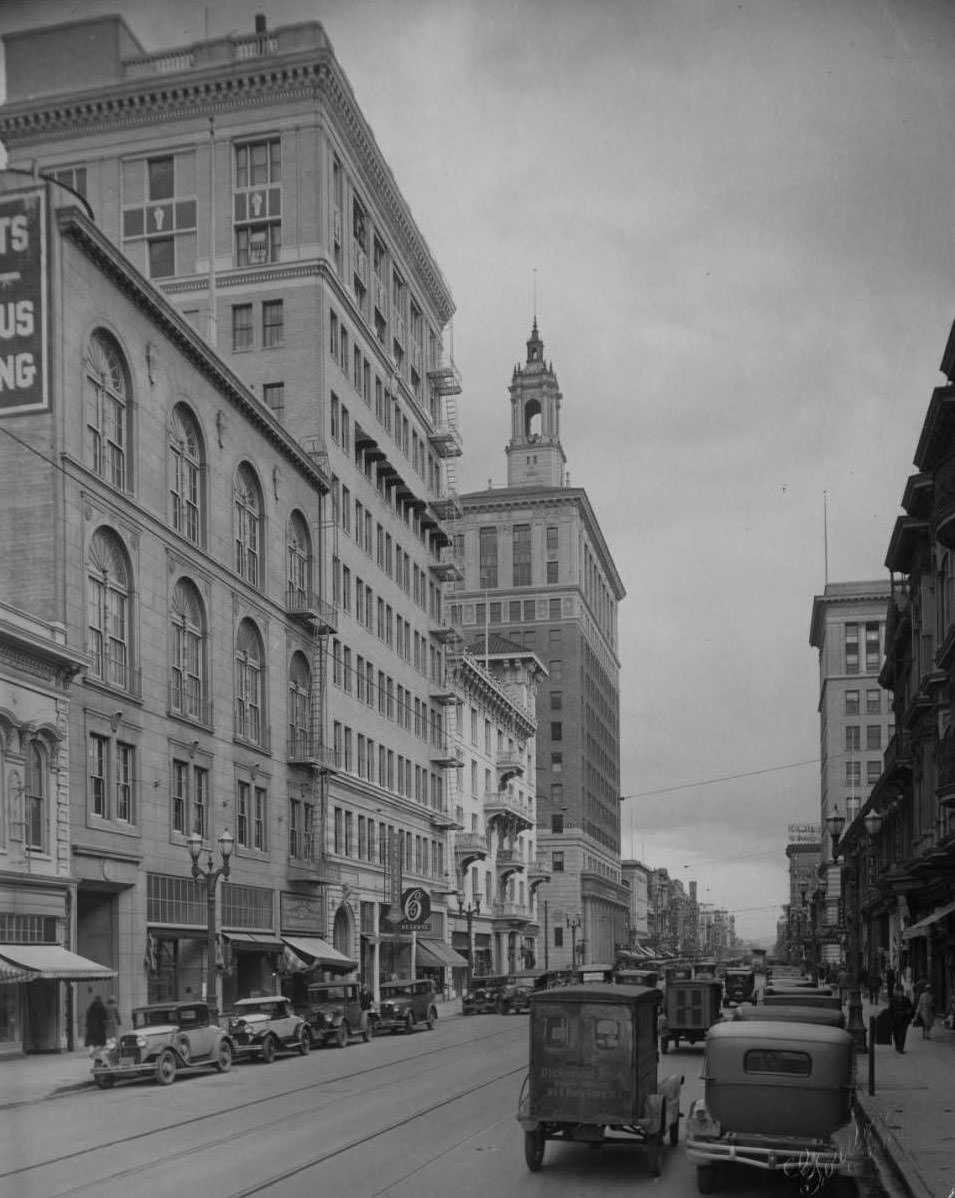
735, 225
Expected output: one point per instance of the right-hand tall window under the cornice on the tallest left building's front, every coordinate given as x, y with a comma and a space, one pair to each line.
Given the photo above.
257, 203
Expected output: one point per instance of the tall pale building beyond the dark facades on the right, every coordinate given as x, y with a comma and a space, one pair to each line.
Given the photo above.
856, 722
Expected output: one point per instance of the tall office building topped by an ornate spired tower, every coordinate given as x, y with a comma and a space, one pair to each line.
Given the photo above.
537, 568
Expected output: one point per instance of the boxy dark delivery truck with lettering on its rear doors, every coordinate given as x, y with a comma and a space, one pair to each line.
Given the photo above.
593, 1073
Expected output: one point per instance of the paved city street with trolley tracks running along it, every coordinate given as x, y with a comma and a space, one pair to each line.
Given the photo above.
403, 1116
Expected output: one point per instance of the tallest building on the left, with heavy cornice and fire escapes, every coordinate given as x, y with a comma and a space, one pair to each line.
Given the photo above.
241, 179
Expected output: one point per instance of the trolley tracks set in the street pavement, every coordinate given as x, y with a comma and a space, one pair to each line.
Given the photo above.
437, 1056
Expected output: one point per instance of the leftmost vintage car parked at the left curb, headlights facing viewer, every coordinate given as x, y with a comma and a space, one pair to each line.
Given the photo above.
167, 1039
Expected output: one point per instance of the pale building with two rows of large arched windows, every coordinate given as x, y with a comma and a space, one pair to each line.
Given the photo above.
161, 517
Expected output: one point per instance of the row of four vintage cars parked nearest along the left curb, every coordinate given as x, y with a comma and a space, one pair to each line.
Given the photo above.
167, 1039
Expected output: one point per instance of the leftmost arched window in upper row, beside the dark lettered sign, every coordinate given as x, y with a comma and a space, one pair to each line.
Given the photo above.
107, 402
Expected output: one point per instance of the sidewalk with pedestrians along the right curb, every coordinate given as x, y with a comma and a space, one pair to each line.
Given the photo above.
911, 1117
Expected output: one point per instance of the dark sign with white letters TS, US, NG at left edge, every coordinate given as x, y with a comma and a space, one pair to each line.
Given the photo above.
23, 308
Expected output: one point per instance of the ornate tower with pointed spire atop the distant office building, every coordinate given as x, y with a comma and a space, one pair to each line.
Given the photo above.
535, 456
